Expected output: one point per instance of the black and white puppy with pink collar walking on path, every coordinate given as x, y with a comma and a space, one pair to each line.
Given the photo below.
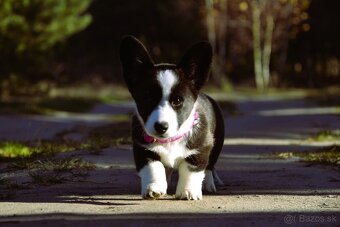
175, 126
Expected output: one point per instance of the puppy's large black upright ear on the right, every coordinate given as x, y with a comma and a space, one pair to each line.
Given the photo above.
196, 62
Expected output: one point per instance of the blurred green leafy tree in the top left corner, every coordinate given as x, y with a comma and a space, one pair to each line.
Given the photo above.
30, 28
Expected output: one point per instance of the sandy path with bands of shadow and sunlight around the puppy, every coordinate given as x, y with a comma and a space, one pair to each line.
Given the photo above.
258, 191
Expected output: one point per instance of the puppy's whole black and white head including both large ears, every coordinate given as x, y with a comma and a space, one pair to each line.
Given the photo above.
165, 94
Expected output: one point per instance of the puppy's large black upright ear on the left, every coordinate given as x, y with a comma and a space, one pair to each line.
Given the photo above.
134, 57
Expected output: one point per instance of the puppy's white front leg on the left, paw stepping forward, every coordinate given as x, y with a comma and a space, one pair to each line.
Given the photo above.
153, 180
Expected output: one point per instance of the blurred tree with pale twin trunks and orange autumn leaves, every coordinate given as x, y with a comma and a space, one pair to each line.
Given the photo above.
266, 26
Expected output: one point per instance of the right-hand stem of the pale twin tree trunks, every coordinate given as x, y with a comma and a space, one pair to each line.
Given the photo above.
267, 49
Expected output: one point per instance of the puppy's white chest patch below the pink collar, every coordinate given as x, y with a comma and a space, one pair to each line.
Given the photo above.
172, 154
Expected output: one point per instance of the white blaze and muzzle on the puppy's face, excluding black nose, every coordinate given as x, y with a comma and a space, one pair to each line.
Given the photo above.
164, 112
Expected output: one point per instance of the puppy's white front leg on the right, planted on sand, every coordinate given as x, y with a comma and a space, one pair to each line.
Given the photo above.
189, 183
